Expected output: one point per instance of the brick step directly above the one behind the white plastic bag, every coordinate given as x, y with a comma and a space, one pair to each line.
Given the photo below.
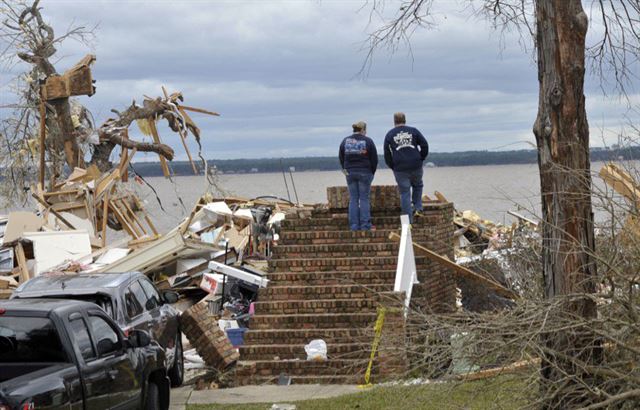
304, 336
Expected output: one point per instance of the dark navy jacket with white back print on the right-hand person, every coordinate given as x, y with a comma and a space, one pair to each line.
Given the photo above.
405, 148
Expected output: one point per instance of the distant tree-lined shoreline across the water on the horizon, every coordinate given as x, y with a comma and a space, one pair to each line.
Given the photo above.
304, 164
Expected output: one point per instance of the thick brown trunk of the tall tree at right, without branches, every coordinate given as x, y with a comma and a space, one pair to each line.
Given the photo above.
562, 136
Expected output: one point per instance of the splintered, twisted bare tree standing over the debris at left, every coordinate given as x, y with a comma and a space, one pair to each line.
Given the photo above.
70, 134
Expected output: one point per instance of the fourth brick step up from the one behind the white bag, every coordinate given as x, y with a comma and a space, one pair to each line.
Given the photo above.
321, 292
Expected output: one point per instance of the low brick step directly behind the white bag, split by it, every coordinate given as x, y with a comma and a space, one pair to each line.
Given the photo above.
296, 351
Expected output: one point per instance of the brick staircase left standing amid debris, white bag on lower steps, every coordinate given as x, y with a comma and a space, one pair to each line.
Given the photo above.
327, 283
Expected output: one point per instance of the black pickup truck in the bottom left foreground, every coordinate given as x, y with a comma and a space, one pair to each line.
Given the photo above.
69, 354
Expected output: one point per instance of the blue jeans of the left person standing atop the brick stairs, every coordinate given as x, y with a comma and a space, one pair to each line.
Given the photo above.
359, 183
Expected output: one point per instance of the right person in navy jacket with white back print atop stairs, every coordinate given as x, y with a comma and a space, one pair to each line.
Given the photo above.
405, 148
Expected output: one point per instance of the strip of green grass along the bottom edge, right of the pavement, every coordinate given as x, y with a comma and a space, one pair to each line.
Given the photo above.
497, 393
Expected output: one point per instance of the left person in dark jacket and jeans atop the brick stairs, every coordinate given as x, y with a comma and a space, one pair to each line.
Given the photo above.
359, 161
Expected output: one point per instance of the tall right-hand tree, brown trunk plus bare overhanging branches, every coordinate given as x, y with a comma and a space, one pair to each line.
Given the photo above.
562, 135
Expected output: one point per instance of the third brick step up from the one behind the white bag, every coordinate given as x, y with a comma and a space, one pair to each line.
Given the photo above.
317, 306
